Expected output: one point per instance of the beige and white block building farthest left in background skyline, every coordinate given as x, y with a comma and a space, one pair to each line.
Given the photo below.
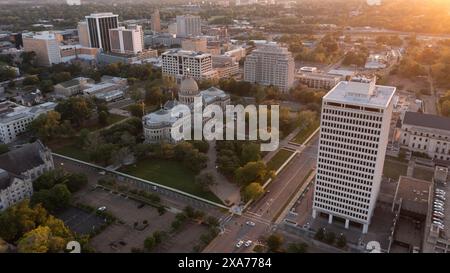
45, 45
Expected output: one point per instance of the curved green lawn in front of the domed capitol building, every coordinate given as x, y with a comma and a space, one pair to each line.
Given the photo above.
169, 173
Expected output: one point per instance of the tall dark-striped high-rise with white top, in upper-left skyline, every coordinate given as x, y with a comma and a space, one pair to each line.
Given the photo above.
99, 25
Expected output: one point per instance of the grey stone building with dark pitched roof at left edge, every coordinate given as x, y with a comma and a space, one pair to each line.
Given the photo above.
19, 168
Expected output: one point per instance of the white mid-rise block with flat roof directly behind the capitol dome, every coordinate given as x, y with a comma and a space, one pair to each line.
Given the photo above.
181, 63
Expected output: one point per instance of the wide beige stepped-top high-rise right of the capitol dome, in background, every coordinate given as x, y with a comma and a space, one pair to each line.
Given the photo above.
270, 64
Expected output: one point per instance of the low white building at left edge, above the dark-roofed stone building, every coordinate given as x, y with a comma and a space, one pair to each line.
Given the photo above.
15, 119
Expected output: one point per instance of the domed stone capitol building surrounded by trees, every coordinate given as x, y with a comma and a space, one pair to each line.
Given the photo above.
157, 125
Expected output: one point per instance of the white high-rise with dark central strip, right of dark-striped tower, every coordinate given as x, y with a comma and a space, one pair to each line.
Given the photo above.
126, 41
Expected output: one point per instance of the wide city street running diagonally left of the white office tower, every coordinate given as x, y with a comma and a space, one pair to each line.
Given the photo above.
268, 207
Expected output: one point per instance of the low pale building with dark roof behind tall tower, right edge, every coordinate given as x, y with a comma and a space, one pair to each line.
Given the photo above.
428, 134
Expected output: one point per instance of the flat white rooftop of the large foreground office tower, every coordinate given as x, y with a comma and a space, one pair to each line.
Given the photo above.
361, 93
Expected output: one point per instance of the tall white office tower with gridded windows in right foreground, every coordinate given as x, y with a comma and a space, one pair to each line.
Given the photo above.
353, 138
